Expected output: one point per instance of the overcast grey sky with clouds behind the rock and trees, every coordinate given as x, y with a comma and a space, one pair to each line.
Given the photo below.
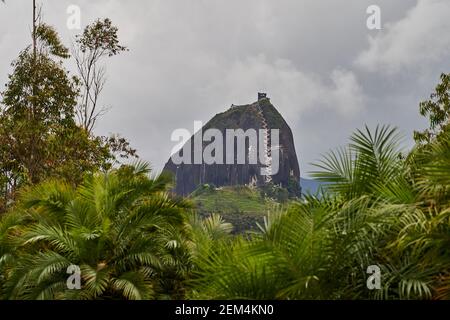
324, 70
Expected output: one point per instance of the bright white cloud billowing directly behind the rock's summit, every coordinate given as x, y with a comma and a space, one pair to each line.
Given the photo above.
294, 91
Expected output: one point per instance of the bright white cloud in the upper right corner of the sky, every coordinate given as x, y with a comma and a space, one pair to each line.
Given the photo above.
416, 41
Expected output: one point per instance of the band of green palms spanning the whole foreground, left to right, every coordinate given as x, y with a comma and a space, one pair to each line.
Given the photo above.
130, 238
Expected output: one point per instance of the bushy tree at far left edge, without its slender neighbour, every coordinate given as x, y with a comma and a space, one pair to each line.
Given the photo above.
38, 133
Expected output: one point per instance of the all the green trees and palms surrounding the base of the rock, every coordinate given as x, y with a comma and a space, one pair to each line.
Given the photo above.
67, 203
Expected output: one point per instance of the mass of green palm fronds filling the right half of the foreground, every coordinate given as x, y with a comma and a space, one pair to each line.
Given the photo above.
377, 208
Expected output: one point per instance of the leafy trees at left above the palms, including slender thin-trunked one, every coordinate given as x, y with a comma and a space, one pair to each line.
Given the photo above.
39, 136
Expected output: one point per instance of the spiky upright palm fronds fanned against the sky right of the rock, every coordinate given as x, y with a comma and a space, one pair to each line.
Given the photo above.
370, 160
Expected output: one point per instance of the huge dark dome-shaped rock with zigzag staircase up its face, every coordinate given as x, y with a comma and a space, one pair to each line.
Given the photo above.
260, 116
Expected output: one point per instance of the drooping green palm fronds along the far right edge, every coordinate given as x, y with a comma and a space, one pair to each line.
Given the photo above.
424, 230
